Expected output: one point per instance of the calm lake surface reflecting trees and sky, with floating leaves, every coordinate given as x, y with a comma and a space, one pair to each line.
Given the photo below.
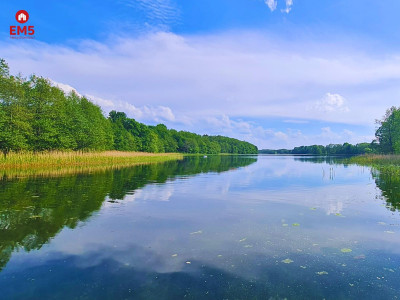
216, 227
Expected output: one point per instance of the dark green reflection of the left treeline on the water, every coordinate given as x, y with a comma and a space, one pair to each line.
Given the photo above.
34, 210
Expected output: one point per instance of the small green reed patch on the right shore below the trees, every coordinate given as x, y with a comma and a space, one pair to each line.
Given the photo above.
383, 163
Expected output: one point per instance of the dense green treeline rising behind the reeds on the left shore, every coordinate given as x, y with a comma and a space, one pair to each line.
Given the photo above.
36, 116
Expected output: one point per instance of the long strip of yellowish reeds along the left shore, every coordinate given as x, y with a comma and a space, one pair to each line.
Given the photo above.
71, 162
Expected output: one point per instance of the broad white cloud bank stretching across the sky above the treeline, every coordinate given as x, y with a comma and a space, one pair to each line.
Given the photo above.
186, 81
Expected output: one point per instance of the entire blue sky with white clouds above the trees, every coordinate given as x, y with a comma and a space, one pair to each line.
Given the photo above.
278, 73
